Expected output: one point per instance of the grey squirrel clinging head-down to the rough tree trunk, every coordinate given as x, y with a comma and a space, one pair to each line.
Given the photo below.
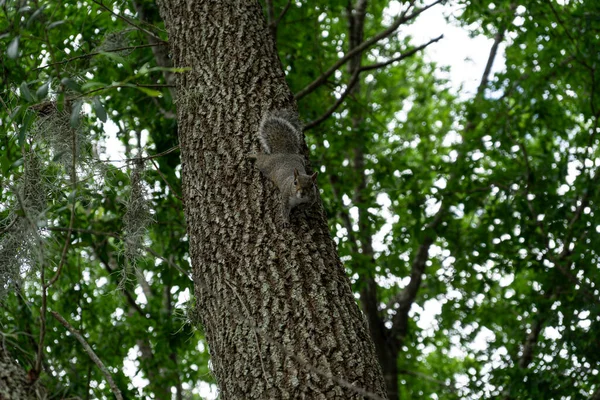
281, 160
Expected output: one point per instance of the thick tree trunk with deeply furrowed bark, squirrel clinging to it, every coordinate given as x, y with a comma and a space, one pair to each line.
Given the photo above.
279, 315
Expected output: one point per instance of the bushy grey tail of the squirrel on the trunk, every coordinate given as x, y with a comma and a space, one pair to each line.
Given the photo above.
281, 132
